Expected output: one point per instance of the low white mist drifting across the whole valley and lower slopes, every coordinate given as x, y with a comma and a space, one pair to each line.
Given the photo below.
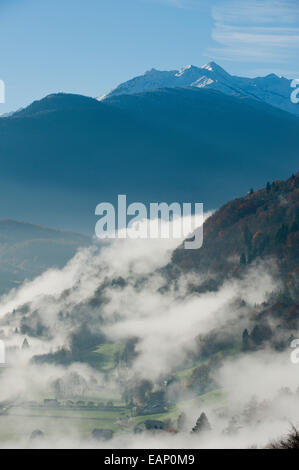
117, 292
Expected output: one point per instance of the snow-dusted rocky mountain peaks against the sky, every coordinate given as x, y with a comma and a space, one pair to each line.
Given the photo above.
271, 89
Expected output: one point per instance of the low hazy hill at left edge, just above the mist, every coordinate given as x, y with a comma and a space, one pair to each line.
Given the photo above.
27, 250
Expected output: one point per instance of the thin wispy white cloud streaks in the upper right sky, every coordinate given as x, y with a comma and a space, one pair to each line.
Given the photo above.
260, 31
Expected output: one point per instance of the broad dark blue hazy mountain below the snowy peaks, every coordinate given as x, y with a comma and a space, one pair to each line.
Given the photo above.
64, 154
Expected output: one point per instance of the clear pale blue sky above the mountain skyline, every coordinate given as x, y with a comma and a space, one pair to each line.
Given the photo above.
90, 46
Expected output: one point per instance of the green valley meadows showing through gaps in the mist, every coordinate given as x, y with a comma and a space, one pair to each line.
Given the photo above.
79, 421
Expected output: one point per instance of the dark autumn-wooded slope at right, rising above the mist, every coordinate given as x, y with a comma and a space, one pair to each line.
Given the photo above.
264, 224
